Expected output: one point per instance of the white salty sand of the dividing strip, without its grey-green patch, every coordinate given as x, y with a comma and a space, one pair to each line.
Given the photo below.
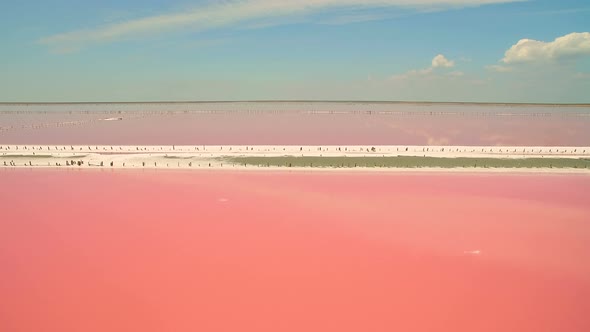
225, 157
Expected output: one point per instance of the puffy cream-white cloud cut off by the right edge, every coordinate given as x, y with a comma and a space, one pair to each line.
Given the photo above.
568, 46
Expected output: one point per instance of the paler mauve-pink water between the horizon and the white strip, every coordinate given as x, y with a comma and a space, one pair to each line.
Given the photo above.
295, 124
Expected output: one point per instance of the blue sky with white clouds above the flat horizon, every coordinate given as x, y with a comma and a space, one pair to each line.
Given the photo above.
413, 50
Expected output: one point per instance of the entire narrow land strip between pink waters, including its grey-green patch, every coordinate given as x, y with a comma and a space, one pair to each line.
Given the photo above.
395, 158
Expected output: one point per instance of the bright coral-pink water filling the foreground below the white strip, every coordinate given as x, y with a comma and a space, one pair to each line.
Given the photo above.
222, 251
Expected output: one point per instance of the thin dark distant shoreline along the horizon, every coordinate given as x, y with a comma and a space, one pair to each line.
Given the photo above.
303, 101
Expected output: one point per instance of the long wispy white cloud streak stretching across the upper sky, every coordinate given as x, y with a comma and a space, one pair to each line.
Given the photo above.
231, 12
